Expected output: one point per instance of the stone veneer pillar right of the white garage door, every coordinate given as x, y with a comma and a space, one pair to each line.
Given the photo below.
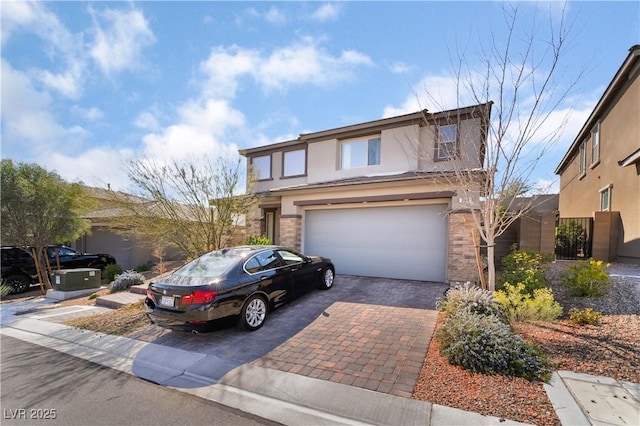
461, 256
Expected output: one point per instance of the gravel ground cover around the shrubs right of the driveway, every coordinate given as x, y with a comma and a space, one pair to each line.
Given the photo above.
610, 349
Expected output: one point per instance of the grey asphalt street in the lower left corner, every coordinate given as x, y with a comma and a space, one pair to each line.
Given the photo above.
43, 386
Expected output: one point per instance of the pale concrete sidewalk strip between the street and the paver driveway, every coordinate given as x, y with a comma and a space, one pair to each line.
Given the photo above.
279, 396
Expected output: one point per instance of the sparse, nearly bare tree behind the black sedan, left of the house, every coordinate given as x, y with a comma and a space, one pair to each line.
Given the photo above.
195, 205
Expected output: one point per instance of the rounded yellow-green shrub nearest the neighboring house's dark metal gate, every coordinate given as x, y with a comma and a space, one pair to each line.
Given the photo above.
586, 278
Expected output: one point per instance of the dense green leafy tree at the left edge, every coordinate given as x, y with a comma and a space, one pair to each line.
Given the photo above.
39, 208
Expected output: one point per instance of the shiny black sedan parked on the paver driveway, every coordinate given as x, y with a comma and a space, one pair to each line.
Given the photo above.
247, 281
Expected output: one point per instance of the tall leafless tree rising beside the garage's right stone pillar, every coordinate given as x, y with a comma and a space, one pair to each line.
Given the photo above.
518, 79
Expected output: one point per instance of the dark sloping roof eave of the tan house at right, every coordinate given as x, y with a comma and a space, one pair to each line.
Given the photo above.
628, 69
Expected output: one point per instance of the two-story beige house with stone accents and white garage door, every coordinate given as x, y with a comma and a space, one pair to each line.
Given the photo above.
375, 197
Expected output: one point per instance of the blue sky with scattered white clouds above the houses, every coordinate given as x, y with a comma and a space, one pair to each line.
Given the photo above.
88, 85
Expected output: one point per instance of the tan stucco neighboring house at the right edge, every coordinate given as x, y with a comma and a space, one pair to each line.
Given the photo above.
600, 173
